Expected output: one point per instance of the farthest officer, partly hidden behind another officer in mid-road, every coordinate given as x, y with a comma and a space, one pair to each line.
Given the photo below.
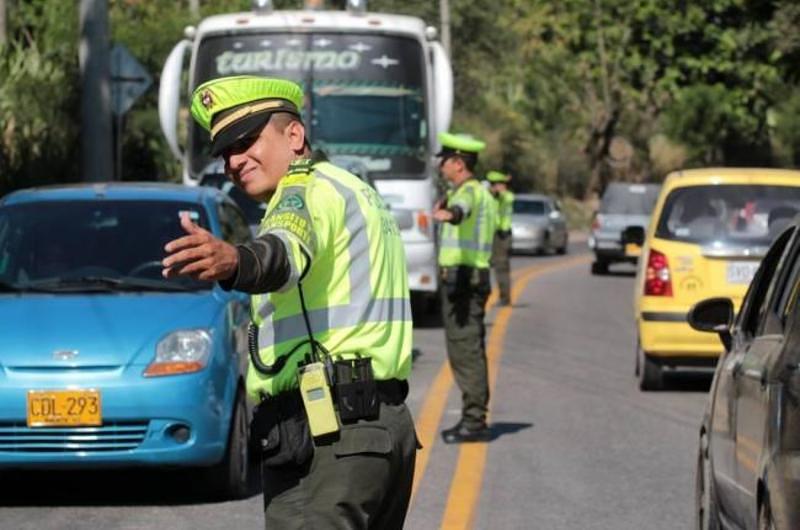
501, 247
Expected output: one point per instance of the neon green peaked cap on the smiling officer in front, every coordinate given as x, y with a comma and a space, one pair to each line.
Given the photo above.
232, 108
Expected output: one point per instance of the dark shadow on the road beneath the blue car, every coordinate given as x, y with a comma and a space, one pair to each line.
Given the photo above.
107, 488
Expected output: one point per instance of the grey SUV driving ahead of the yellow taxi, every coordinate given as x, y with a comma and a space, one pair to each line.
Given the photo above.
623, 205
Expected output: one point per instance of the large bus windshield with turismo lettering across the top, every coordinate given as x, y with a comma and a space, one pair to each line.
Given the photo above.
364, 94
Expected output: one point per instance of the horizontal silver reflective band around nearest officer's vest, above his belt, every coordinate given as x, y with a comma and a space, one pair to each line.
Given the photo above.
327, 318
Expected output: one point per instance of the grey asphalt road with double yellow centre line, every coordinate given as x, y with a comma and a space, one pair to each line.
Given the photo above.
576, 445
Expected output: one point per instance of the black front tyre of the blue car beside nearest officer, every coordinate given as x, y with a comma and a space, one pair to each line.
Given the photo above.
231, 478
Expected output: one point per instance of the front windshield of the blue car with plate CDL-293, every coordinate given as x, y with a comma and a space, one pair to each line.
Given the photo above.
92, 245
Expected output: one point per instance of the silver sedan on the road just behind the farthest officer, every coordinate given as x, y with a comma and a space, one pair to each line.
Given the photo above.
538, 225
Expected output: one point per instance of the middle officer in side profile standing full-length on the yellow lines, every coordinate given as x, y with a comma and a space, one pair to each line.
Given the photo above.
469, 217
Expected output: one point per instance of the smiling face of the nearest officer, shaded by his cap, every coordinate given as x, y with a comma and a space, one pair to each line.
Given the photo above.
257, 164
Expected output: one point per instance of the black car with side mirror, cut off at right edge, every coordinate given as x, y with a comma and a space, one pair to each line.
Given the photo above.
748, 463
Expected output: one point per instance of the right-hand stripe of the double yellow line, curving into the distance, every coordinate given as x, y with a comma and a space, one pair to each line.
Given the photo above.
466, 482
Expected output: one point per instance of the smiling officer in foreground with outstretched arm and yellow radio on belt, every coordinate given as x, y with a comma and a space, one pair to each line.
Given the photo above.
331, 342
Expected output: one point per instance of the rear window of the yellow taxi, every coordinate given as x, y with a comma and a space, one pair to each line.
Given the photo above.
728, 215
